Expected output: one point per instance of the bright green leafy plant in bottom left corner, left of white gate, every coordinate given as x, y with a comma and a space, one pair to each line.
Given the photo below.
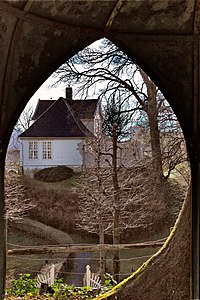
24, 285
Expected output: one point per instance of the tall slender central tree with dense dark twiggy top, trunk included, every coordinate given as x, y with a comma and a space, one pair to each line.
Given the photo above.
116, 124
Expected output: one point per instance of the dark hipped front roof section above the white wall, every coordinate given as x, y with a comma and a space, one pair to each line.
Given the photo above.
59, 120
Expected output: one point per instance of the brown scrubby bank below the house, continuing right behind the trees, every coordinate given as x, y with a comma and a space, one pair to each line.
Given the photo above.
57, 205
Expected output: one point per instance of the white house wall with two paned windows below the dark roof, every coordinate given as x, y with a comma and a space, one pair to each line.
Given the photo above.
66, 152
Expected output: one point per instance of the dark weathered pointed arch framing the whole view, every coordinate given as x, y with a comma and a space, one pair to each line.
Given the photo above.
37, 36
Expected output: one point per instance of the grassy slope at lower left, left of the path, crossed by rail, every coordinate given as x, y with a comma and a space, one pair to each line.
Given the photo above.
33, 236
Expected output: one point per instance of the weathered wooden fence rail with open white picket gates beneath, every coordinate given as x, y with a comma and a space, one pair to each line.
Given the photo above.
48, 275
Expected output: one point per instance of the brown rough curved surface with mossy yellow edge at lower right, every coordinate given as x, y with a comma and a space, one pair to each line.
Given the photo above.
169, 276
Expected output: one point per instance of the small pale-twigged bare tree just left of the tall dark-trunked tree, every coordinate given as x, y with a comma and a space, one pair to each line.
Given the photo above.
93, 213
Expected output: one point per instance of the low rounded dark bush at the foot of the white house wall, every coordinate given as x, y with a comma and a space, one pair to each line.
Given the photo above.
54, 174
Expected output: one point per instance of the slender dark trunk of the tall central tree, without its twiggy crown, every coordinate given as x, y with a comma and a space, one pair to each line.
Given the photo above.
116, 212
